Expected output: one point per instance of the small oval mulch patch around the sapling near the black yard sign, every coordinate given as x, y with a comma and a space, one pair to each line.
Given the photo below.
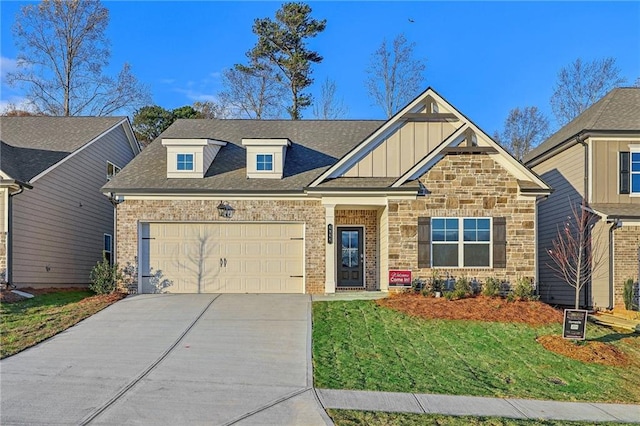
586, 351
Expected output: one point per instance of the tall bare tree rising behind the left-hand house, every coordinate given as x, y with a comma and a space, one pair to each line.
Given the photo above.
63, 50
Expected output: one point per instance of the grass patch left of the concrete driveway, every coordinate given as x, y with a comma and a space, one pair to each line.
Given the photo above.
28, 322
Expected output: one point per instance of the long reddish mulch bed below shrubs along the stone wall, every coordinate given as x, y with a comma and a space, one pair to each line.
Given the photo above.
479, 308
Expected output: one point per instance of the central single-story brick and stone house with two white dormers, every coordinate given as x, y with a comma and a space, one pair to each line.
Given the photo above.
318, 206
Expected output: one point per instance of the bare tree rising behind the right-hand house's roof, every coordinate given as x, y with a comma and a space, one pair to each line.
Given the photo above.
581, 84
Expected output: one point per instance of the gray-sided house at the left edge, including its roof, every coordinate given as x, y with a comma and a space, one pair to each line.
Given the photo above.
55, 223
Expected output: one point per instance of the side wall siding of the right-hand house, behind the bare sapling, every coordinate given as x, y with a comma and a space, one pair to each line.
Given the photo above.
565, 173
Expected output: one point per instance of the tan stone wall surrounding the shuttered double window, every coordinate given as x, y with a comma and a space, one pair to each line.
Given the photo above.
472, 186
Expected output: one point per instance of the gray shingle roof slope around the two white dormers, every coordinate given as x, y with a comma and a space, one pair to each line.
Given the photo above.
316, 145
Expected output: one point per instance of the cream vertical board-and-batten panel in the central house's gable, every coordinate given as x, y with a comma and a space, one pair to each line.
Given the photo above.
402, 150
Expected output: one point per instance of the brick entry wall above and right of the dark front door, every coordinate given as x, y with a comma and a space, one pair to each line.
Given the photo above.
369, 219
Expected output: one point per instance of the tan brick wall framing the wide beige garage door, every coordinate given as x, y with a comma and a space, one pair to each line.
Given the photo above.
309, 212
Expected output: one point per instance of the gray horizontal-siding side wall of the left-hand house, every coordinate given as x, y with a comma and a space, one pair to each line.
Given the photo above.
58, 226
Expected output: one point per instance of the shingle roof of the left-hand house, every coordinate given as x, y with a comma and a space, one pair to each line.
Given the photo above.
30, 145
